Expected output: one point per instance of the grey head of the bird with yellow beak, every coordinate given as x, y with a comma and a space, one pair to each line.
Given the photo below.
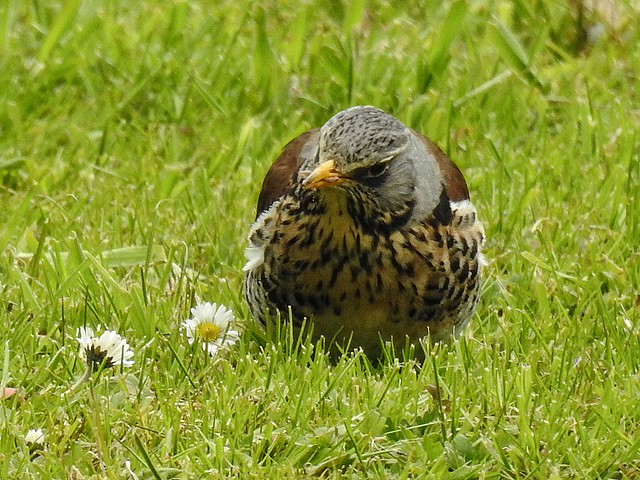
377, 165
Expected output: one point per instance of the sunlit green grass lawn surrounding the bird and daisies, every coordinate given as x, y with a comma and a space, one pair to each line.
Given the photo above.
133, 140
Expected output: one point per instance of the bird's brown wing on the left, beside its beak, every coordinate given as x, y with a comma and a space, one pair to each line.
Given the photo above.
283, 174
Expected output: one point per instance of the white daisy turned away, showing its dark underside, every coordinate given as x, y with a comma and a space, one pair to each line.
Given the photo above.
109, 348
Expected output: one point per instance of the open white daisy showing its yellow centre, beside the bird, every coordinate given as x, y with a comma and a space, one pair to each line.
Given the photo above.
211, 324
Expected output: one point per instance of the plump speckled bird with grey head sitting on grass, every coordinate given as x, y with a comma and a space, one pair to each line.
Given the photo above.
365, 232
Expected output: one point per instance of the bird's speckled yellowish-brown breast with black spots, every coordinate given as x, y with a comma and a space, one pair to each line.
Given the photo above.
359, 286
